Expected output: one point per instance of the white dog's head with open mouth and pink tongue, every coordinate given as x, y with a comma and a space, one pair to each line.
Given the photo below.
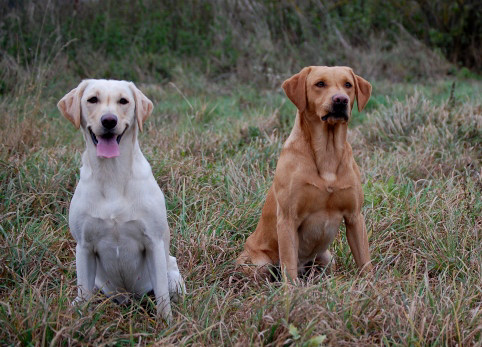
105, 109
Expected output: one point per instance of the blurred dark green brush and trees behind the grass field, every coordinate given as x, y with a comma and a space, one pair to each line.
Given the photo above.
247, 37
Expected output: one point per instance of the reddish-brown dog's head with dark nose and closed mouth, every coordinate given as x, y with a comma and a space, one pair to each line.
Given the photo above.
327, 92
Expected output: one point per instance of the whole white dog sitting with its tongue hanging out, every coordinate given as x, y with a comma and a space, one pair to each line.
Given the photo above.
117, 214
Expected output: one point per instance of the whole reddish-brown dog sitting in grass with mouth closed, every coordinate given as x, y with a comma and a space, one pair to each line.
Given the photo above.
317, 182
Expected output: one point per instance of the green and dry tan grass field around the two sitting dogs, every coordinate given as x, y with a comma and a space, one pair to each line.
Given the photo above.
213, 148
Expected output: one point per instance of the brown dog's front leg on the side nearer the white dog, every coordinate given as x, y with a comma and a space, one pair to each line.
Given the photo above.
288, 243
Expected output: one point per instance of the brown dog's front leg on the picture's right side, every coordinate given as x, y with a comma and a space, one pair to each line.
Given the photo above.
358, 241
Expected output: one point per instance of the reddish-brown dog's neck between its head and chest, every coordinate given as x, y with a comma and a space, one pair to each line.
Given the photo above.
327, 142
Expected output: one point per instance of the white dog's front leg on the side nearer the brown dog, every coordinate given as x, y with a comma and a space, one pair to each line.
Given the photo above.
156, 263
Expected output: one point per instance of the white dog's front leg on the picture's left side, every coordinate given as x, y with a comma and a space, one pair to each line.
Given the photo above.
85, 263
